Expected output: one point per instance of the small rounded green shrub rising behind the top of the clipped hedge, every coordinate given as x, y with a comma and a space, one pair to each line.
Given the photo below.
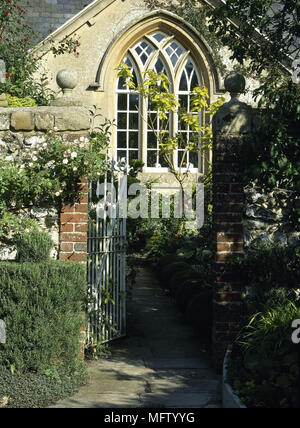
33, 246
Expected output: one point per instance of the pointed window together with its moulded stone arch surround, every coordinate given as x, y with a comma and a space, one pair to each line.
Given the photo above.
162, 43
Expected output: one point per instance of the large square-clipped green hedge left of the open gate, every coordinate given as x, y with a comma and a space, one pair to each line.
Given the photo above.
42, 306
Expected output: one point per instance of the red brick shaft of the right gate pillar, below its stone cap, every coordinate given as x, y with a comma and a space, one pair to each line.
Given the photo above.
228, 238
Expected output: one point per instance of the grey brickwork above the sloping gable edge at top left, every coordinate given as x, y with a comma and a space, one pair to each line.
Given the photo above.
45, 16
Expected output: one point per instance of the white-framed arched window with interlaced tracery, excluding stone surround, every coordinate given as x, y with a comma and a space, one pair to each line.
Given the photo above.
160, 52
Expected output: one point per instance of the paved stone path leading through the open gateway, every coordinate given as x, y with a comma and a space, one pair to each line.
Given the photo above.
159, 364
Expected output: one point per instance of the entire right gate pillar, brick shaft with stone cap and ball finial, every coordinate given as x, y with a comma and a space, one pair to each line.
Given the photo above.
231, 124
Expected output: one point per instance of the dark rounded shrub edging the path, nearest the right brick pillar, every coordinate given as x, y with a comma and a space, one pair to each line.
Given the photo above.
199, 313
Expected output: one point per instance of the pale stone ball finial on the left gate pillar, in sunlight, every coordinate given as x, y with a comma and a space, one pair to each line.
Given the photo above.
67, 80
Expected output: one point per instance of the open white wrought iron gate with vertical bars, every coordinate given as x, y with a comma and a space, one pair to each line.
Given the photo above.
107, 257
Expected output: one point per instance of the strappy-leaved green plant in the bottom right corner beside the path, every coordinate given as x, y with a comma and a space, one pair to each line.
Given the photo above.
265, 363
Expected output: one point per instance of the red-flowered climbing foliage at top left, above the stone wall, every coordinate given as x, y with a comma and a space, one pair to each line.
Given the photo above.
17, 39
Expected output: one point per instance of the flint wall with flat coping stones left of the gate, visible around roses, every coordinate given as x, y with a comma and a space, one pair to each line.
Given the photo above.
23, 129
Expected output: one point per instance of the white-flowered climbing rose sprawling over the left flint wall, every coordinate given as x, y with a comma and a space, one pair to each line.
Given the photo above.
48, 173
